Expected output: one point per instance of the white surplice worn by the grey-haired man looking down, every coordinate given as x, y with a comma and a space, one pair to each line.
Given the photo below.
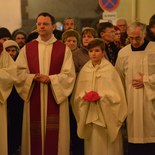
141, 102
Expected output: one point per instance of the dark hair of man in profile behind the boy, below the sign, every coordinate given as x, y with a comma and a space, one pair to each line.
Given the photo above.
102, 26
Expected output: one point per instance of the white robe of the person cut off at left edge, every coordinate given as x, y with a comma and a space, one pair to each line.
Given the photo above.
7, 78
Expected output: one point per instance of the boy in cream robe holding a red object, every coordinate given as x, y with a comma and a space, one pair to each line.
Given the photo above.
99, 104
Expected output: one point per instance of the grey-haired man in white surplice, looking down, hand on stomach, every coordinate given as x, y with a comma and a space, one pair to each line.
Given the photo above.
136, 66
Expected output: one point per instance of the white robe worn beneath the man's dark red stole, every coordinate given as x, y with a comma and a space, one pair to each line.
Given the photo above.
61, 86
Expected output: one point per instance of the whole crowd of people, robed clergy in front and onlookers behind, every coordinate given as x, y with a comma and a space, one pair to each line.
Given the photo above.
78, 93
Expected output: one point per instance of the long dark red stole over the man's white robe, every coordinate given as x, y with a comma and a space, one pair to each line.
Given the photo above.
52, 128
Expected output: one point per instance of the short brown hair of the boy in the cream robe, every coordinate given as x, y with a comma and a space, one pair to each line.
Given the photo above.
97, 42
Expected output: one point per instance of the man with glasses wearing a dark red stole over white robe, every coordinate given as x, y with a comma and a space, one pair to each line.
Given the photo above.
46, 78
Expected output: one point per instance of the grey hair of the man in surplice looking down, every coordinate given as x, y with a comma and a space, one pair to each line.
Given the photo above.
134, 25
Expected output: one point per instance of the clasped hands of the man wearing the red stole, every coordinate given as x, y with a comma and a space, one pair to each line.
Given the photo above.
42, 78
